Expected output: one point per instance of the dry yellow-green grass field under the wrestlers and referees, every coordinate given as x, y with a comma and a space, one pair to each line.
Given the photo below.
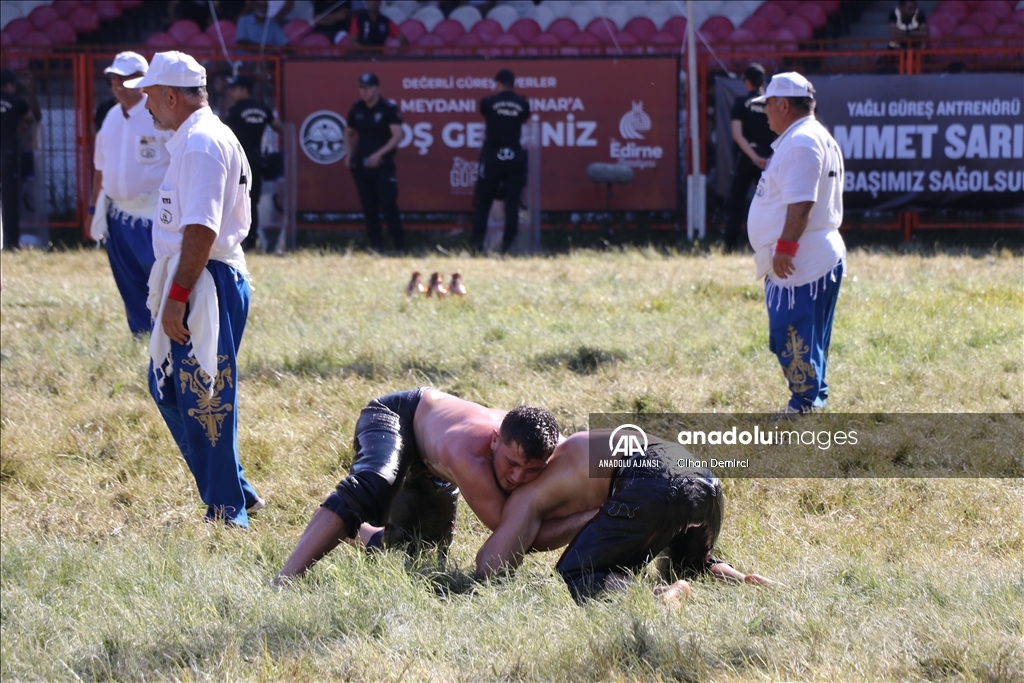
109, 574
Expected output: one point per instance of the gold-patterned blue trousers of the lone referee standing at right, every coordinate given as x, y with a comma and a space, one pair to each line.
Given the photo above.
800, 323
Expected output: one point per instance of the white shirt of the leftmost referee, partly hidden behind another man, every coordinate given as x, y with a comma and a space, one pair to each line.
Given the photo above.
132, 155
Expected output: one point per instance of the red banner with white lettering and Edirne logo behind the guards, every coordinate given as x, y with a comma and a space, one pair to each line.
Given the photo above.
609, 111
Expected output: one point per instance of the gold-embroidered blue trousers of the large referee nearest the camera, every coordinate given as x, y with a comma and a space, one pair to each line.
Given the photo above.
207, 430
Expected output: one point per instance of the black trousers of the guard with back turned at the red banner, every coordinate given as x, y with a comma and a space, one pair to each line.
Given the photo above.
499, 168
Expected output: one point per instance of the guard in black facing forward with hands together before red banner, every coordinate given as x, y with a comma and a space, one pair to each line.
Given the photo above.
377, 123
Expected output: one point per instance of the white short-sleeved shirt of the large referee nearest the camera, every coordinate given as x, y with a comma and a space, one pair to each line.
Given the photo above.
207, 184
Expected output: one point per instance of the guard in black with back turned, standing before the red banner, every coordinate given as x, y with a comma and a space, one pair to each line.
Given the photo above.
502, 160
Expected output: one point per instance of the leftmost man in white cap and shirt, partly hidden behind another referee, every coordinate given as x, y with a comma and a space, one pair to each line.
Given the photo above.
131, 161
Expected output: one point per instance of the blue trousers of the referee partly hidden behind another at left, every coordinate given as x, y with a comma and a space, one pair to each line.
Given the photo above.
130, 247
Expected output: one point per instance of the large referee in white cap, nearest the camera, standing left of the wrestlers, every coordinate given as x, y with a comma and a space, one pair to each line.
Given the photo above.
202, 219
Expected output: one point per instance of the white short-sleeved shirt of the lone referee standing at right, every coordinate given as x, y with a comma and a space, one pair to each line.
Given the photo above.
807, 166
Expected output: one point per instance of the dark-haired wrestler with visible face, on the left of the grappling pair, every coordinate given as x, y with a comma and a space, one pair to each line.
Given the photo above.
415, 451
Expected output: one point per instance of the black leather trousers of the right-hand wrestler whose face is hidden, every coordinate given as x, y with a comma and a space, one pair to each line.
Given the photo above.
650, 510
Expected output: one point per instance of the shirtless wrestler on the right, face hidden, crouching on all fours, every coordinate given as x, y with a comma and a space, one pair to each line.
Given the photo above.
634, 513
